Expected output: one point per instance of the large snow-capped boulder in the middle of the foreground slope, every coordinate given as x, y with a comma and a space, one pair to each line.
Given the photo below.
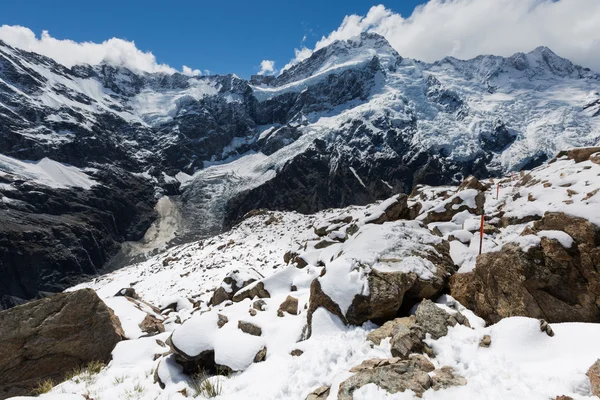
381, 269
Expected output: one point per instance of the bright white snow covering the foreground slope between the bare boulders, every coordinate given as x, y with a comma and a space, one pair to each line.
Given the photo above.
344, 245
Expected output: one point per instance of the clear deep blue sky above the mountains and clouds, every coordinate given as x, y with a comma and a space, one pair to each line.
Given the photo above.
221, 36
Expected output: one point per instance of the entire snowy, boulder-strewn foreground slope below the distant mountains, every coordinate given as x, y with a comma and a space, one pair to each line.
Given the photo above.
385, 301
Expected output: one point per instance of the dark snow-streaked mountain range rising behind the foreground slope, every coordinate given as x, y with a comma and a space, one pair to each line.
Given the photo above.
353, 123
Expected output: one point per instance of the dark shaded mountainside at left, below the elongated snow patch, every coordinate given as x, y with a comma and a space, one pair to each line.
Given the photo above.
51, 238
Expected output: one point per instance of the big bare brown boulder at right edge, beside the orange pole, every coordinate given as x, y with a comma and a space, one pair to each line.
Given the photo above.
548, 281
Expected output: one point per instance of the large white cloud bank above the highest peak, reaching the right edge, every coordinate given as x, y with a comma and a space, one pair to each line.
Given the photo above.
467, 28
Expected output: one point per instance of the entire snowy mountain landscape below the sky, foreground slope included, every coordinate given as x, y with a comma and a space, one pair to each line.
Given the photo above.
237, 232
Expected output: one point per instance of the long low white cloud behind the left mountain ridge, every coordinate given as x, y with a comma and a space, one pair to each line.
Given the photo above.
114, 51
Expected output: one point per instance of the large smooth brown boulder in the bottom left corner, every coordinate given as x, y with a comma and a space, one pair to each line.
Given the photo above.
48, 338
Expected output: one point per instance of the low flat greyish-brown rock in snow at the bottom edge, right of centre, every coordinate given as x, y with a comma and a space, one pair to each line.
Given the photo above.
395, 375
